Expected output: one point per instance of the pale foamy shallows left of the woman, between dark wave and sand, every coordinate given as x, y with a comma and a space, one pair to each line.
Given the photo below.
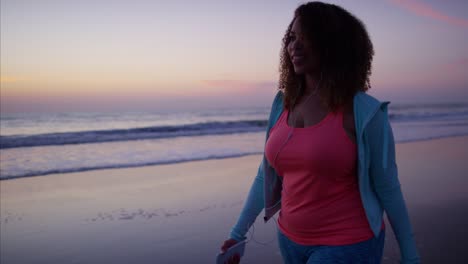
44, 160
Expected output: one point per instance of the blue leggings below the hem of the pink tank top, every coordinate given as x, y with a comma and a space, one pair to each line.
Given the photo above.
367, 252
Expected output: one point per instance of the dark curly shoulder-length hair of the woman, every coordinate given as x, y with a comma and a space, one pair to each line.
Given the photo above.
345, 55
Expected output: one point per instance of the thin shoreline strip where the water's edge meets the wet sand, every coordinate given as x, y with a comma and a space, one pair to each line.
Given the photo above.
187, 161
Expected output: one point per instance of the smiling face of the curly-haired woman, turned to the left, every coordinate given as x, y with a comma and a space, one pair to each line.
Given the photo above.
301, 52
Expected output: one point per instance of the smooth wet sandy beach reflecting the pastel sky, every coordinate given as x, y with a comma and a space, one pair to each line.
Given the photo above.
181, 213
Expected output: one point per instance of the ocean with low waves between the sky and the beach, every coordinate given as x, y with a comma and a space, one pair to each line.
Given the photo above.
33, 144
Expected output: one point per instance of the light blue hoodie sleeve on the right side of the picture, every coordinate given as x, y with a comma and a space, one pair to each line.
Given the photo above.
384, 176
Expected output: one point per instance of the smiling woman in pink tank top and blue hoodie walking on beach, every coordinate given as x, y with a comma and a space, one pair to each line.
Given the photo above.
329, 161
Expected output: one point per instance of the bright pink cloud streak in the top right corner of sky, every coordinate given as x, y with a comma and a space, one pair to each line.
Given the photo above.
422, 9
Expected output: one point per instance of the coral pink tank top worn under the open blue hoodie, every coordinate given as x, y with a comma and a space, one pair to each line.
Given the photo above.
321, 203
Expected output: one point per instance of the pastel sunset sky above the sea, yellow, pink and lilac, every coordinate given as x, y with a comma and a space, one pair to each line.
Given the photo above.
69, 55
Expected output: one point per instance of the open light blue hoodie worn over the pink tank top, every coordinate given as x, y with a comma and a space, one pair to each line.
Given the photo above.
377, 172
